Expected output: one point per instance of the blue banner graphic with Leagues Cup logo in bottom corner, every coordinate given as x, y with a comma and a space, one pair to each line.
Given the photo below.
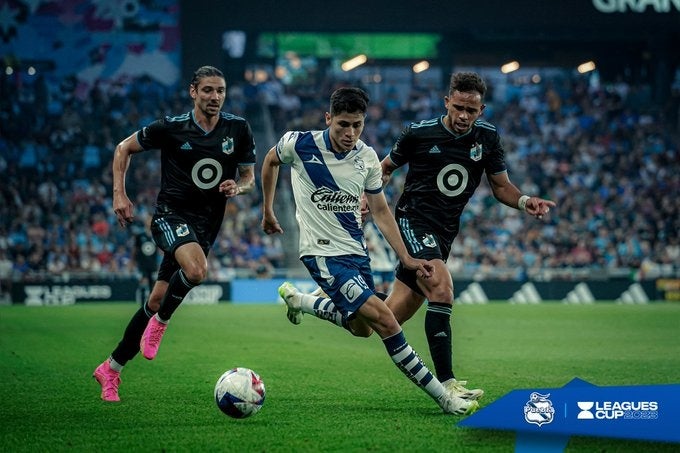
545, 418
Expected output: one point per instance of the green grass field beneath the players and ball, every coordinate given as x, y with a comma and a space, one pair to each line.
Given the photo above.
326, 391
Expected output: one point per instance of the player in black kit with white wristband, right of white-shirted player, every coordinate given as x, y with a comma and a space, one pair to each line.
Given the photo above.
446, 157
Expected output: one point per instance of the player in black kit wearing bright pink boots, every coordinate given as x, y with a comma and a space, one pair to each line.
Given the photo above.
207, 157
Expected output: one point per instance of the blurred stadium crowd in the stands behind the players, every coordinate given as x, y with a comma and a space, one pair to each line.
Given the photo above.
603, 152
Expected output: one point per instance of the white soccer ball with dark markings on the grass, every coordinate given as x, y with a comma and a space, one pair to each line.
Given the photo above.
239, 392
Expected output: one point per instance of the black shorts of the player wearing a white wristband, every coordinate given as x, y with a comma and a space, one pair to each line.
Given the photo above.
421, 242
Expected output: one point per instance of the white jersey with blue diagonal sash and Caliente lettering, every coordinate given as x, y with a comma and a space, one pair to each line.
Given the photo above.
327, 187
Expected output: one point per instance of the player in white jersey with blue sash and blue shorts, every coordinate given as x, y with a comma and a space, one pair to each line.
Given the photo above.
331, 169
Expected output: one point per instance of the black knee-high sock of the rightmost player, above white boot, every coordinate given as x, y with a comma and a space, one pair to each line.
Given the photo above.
438, 333
